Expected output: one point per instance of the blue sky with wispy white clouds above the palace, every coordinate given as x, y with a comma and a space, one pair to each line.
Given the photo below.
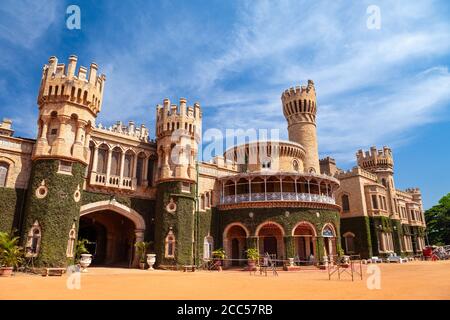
374, 87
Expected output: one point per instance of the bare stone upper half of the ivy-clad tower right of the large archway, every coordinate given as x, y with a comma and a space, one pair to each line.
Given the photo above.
178, 132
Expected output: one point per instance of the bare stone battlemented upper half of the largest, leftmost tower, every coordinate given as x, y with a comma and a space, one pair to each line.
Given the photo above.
69, 102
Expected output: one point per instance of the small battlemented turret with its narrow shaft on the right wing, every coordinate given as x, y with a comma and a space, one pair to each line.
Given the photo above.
381, 163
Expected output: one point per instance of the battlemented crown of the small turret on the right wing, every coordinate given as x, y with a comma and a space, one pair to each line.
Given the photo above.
376, 160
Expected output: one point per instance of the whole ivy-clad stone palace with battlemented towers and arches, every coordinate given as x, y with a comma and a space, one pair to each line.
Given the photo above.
115, 186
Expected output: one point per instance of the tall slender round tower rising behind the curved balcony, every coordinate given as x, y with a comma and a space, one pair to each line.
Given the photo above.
299, 108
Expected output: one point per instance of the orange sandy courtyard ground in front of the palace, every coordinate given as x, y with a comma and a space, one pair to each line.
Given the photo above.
414, 280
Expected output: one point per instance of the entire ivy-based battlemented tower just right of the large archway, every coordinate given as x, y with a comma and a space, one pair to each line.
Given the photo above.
178, 131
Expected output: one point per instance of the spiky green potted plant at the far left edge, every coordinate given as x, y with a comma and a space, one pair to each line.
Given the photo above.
11, 255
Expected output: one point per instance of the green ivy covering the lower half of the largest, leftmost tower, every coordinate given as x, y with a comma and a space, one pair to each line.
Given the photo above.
56, 213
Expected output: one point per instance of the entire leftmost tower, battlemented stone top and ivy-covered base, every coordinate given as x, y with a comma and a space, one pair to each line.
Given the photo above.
69, 102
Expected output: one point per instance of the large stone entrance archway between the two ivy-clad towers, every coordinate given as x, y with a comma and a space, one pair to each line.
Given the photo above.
106, 218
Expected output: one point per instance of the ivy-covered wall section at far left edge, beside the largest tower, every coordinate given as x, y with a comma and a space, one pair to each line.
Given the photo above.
11, 209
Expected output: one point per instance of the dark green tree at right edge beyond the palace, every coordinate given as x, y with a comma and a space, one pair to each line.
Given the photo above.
438, 222
